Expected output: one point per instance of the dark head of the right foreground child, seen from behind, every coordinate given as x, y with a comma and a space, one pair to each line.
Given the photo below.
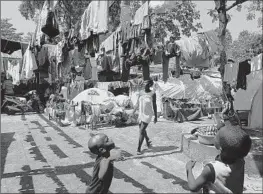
233, 142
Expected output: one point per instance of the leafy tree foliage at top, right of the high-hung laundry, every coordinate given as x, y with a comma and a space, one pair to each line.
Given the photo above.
173, 16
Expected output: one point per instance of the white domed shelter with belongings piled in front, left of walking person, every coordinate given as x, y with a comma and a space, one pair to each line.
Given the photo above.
96, 106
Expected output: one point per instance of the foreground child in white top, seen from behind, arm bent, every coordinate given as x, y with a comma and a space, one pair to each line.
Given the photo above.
226, 173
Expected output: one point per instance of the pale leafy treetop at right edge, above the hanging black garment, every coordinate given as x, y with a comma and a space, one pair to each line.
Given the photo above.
246, 46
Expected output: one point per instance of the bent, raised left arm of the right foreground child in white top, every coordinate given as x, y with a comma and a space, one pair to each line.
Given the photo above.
205, 177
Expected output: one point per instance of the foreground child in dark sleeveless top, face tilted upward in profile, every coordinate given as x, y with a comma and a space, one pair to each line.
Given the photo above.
101, 145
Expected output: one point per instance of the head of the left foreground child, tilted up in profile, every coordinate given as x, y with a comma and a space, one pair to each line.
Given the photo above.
100, 144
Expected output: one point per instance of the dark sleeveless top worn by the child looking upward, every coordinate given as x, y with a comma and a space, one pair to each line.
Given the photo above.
97, 185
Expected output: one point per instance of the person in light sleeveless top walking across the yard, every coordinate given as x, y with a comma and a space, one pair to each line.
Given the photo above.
147, 109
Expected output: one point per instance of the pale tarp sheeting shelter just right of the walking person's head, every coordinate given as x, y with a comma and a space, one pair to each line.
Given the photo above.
184, 88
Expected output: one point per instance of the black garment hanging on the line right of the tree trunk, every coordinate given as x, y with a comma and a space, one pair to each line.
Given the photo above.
243, 71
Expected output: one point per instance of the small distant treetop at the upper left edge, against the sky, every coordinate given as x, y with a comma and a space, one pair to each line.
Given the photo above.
8, 31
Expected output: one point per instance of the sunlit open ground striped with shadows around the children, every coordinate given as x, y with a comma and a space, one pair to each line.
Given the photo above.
37, 156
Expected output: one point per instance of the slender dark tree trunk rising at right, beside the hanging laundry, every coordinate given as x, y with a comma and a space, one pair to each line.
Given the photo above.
221, 9
